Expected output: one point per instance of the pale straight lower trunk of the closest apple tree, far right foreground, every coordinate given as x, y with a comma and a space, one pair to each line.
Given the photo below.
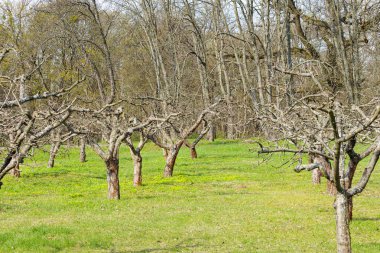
342, 224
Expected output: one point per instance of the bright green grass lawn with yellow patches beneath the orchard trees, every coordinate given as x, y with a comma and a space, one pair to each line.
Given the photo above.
224, 201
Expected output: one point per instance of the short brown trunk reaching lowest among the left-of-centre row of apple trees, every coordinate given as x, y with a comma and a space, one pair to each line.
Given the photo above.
113, 178
